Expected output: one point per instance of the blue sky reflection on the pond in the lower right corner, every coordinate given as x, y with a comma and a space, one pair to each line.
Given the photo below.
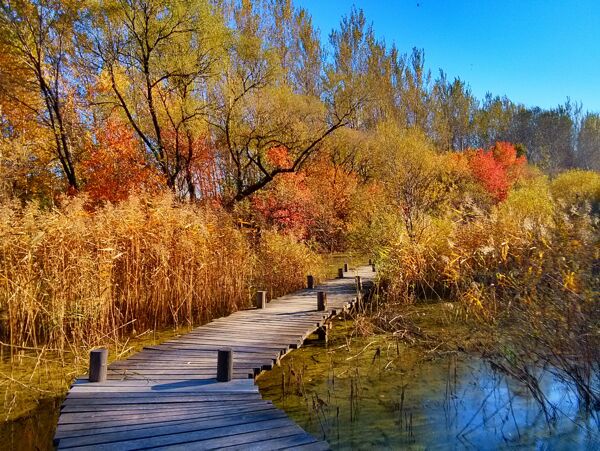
486, 410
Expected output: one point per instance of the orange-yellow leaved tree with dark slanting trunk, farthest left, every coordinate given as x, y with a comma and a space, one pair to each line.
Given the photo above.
39, 36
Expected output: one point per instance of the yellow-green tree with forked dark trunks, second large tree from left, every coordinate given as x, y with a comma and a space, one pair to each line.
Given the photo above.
156, 58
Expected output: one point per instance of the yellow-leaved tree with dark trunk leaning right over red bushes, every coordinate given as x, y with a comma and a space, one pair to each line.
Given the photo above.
255, 110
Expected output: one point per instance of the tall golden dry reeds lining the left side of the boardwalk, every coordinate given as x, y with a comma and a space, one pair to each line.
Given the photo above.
71, 279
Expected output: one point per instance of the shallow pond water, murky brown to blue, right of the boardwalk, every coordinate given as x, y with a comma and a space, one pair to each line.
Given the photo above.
377, 393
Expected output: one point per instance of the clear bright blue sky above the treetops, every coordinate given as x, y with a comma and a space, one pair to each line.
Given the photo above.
536, 52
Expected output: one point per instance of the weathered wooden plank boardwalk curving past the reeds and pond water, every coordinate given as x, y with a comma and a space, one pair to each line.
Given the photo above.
167, 396
